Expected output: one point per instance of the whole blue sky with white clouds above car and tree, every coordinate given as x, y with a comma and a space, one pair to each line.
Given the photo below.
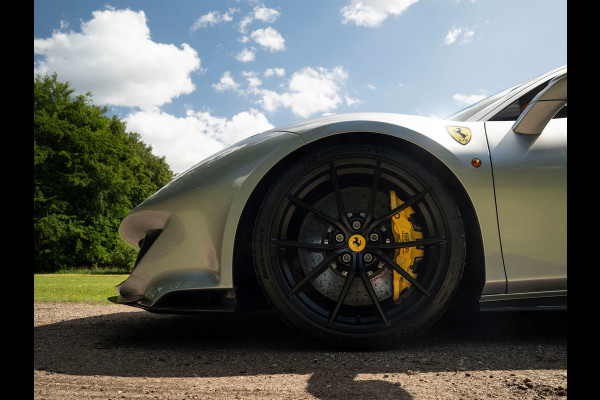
193, 76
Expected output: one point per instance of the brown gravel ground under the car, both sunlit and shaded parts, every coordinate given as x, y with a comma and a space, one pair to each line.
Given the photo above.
84, 351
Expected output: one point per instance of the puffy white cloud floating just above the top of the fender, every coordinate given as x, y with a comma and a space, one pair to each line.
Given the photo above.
309, 91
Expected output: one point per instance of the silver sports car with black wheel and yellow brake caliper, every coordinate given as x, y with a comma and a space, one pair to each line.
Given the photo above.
365, 228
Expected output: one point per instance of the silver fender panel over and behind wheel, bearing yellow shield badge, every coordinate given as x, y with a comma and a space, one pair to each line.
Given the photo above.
433, 135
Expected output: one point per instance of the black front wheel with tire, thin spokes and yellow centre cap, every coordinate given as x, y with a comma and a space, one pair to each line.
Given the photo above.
346, 302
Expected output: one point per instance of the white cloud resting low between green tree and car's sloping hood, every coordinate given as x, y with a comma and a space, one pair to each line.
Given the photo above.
186, 141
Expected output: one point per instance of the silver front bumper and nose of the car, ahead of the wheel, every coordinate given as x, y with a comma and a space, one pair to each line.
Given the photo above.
197, 214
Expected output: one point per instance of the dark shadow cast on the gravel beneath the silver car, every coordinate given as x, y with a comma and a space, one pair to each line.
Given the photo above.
142, 344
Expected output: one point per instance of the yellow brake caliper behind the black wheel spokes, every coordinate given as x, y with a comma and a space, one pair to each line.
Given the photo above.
403, 232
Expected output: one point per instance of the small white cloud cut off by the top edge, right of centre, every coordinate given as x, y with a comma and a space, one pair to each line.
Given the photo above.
372, 13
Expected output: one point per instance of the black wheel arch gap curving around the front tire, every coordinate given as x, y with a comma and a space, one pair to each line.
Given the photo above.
245, 282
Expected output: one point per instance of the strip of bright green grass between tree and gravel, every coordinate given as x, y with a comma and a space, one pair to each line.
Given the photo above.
76, 288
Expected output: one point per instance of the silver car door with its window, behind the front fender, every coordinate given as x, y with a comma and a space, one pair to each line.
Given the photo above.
530, 180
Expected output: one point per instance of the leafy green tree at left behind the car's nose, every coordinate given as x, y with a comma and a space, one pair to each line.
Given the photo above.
88, 174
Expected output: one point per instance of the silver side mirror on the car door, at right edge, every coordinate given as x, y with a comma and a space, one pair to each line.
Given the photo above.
543, 107
